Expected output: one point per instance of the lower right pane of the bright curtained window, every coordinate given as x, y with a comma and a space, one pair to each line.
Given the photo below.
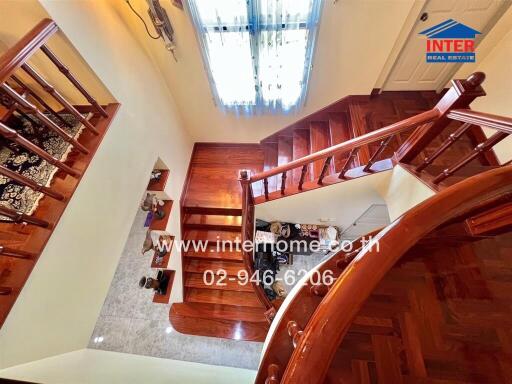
281, 64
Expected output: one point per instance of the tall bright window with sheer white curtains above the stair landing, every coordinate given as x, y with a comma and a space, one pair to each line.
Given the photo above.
257, 52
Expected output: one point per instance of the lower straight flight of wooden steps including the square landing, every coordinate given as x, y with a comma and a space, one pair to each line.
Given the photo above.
215, 304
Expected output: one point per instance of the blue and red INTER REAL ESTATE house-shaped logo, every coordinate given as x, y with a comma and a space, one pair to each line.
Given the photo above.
450, 42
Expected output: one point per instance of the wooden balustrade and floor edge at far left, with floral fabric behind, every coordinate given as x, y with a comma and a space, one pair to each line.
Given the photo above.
62, 136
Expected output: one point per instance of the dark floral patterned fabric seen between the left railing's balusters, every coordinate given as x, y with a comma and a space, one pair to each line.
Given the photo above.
14, 195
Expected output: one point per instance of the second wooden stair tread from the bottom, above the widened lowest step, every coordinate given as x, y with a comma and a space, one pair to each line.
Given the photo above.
217, 296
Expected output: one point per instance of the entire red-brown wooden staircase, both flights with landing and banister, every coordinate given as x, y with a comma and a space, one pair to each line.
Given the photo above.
346, 140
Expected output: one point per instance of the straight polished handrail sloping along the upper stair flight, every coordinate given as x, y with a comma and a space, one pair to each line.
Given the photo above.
348, 145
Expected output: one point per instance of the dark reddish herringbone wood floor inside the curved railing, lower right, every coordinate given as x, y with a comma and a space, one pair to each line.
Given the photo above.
441, 315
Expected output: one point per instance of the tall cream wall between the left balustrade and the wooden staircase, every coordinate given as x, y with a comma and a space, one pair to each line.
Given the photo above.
58, 307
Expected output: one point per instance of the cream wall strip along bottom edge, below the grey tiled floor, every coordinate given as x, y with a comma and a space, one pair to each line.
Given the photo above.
89, 366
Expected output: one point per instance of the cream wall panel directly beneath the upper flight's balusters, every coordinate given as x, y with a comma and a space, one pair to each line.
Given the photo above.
342, 202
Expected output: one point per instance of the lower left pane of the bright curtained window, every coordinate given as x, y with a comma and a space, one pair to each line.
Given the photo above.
231, 66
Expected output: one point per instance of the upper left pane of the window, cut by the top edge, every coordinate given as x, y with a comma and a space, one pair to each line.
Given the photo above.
222, 12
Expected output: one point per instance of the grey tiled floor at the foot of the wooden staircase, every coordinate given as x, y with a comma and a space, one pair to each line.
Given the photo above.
130, 322
